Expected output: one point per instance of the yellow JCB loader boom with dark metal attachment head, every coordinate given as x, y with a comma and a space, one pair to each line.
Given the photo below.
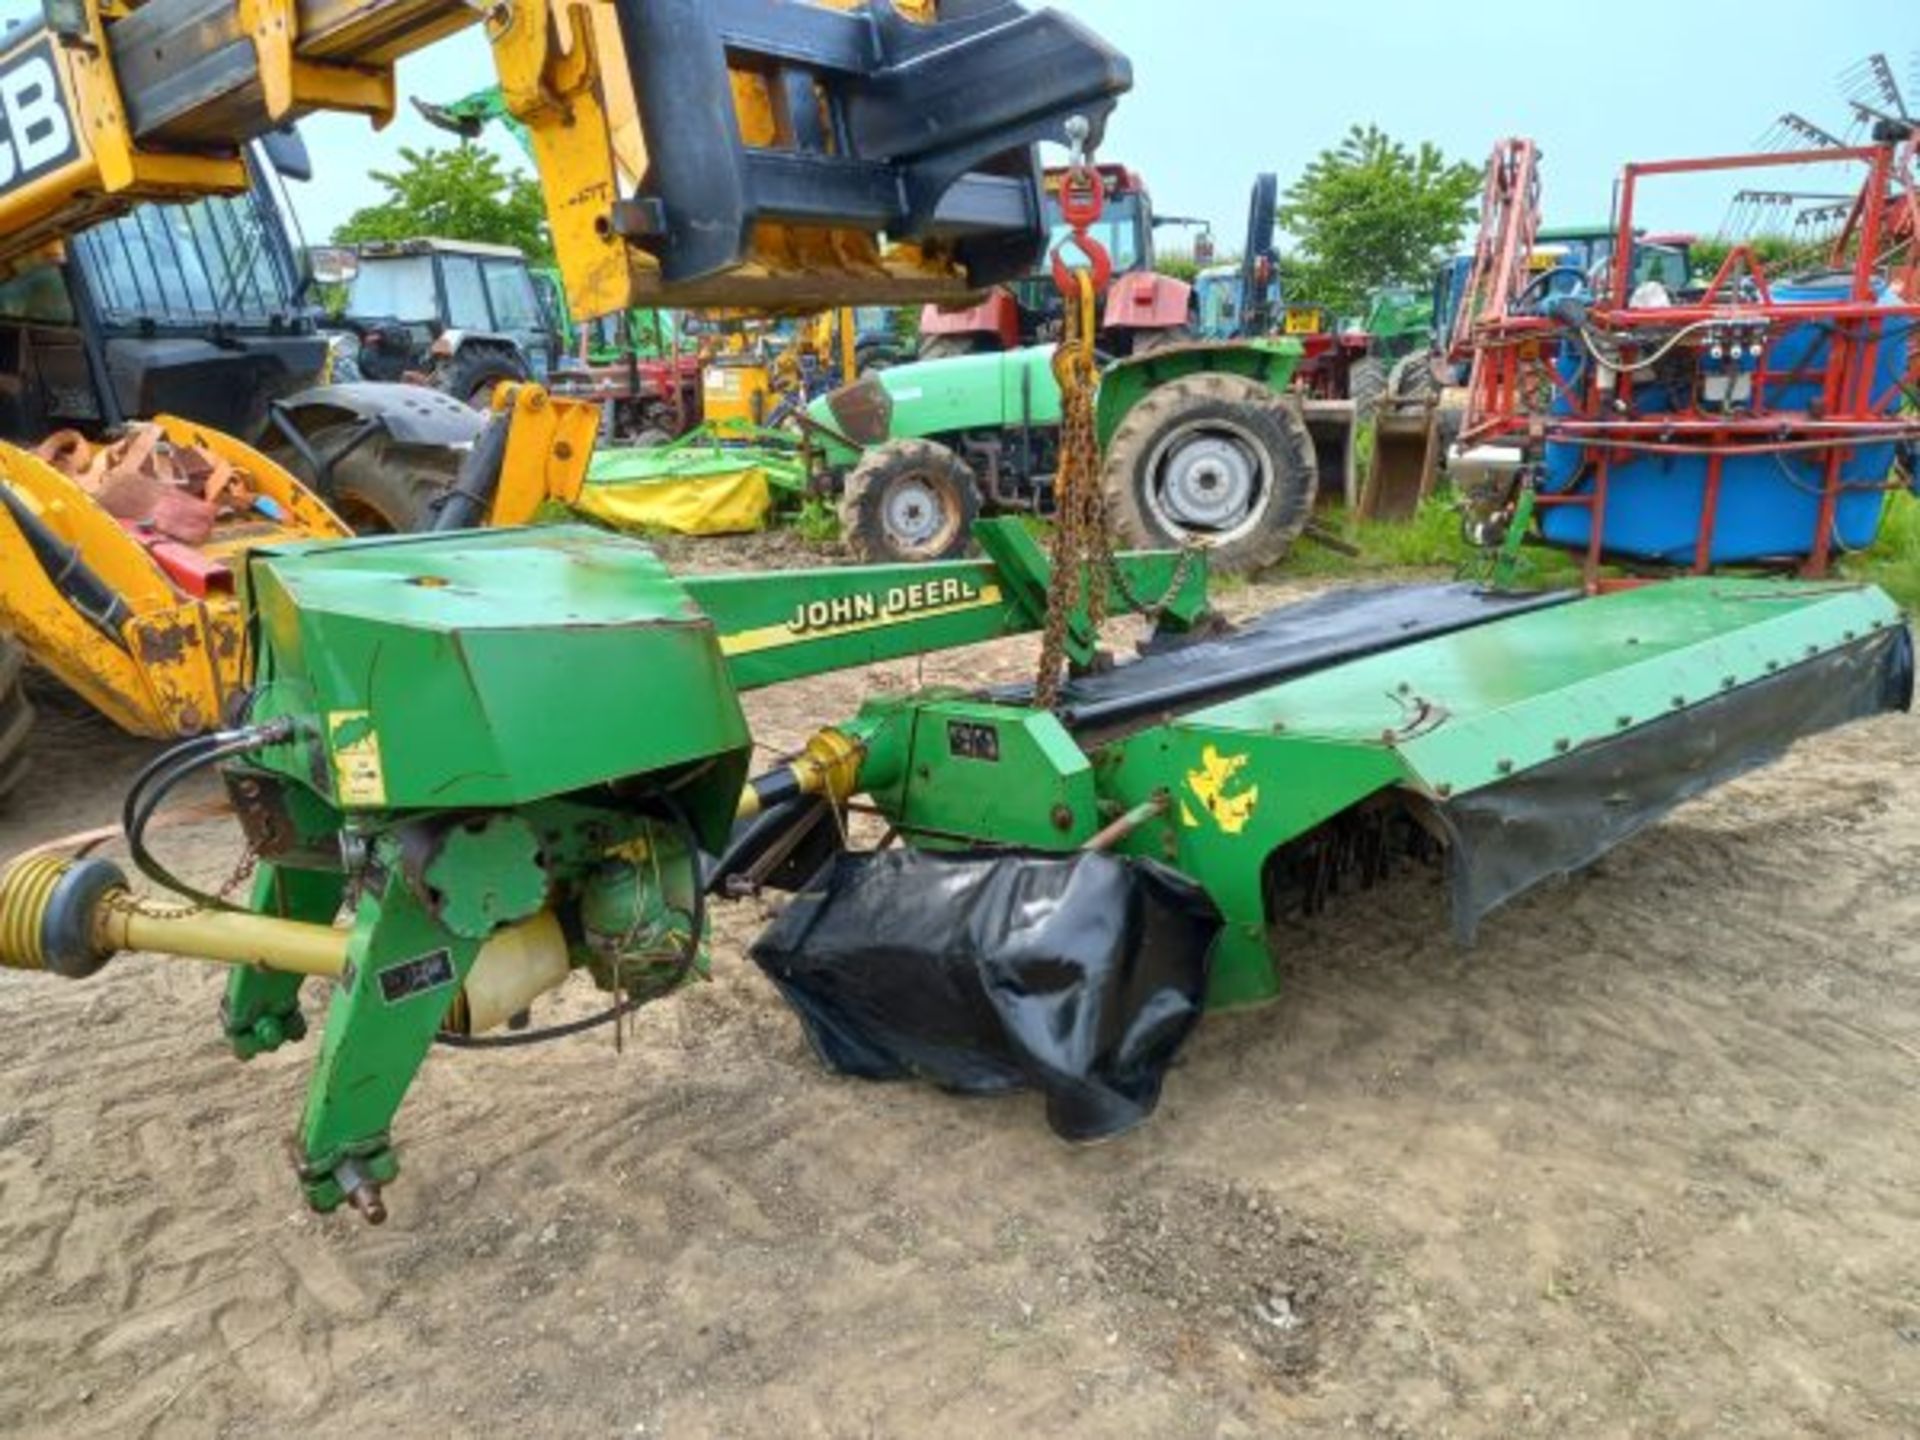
771, 155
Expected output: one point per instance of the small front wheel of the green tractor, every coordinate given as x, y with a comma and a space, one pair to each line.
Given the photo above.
909, 500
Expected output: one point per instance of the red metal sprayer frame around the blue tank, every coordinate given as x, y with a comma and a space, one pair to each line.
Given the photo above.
1512, 356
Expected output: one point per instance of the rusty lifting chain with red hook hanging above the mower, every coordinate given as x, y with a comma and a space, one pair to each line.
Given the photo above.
1084, 548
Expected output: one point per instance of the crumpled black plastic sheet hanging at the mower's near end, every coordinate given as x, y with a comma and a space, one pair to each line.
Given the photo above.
1078, 974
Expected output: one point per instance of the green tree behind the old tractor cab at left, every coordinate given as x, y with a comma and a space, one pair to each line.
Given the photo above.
456, 195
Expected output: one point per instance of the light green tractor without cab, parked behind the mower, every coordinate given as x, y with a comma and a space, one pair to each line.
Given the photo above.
1201, 443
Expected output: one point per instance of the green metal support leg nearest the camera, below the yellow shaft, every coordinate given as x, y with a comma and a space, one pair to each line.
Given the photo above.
404, 974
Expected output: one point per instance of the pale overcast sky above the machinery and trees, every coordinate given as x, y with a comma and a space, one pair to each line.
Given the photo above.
1232, 87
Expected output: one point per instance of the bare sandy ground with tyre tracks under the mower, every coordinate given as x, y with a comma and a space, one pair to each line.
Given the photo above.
1643, 1163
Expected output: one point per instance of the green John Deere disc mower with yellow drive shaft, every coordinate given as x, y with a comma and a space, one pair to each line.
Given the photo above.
475, 765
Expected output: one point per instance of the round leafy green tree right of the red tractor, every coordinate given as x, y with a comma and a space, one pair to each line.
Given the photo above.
1370, 212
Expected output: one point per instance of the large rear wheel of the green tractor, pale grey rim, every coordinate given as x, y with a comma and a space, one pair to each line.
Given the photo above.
1220, 460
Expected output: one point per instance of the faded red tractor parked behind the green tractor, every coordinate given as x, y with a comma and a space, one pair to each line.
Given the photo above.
1140, 312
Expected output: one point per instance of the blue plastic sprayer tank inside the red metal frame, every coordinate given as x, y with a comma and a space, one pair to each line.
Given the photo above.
1769, 504
